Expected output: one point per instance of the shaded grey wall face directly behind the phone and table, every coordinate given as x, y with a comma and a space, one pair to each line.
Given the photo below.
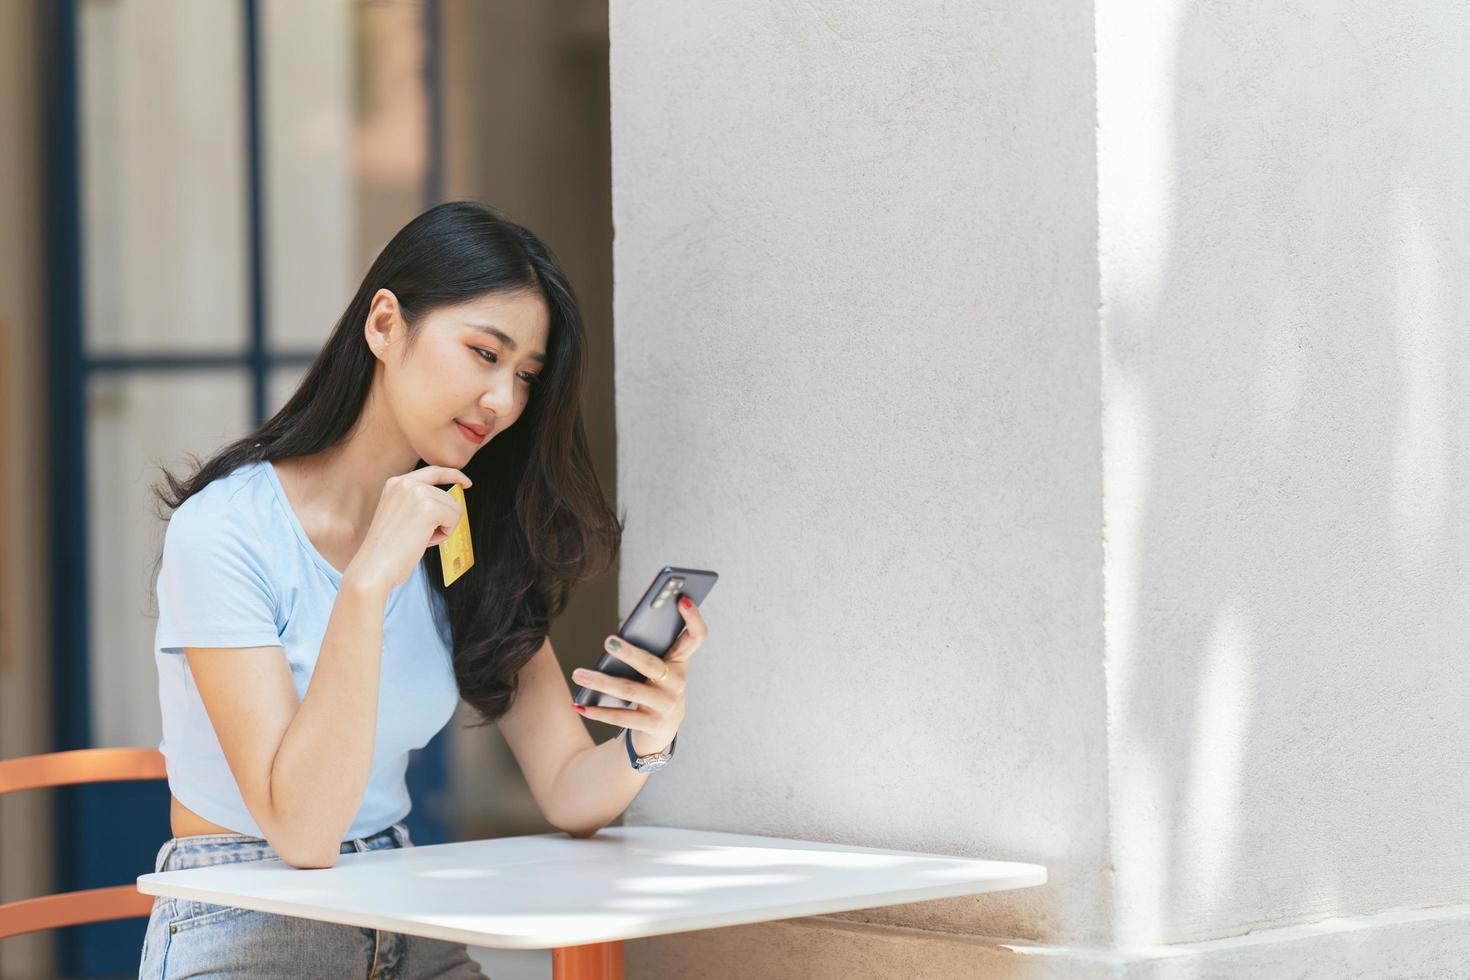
858, 375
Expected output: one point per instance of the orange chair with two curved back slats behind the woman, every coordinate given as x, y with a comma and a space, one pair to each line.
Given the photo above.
65, 769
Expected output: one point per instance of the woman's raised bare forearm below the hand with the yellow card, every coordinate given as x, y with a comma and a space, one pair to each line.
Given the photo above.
323, 766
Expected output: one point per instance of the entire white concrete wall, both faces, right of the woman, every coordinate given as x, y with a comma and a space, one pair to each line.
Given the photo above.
1080, 462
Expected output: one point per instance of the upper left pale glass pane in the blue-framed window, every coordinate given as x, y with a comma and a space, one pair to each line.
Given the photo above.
164, 173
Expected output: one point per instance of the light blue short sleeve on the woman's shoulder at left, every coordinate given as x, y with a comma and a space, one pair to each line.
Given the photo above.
214, 583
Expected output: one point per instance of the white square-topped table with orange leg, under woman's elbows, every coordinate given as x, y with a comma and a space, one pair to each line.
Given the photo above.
583, 897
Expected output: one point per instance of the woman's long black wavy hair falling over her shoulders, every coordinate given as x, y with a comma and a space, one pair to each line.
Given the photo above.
537, 512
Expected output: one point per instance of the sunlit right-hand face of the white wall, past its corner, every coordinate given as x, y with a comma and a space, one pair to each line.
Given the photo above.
1287, 389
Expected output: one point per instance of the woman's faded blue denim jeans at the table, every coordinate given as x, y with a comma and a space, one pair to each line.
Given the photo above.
198, 940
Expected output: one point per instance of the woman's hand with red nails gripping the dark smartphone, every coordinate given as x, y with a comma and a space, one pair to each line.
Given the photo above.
659, 702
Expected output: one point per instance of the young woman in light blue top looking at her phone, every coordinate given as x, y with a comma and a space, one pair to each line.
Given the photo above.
306, 640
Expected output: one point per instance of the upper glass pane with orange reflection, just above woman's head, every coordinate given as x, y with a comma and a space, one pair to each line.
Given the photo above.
346, 152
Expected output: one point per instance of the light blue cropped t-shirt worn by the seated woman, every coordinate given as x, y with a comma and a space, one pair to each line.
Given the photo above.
239, 571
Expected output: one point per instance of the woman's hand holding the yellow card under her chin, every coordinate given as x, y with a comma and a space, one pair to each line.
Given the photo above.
412, 516
